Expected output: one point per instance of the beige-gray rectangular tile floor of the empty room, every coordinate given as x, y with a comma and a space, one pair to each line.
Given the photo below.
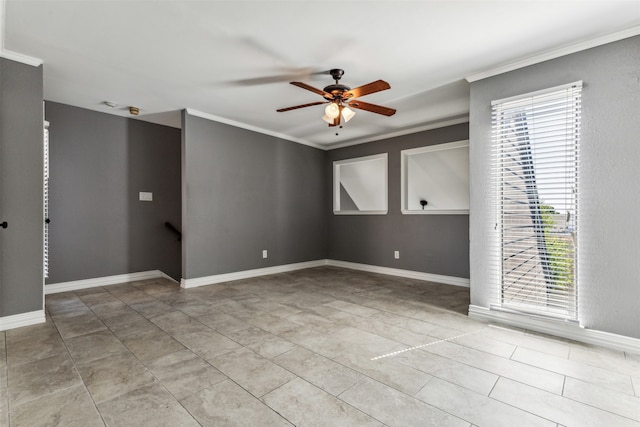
317, 347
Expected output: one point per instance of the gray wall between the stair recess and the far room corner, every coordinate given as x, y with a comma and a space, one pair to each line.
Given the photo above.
244, 192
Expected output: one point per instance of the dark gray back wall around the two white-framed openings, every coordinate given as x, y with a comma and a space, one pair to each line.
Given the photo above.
436, 244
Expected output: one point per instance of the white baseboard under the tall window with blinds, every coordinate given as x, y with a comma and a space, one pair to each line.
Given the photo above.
558, 328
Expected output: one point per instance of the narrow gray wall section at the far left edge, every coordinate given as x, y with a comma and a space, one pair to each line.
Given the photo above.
21, 176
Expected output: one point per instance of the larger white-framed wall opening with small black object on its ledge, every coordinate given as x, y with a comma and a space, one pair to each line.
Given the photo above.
437, 174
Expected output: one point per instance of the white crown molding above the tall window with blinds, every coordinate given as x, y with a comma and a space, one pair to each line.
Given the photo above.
555, 53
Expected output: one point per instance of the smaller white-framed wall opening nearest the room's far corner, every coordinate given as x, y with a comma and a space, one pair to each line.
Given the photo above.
360, 186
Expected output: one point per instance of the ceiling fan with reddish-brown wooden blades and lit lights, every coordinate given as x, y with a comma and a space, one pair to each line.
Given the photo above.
341, 97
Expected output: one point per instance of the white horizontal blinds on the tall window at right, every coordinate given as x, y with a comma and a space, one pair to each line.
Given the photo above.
535, 172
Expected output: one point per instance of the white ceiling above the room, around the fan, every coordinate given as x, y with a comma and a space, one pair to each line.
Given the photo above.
232, 60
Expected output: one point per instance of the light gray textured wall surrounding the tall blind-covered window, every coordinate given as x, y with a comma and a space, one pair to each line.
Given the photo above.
608, 236
